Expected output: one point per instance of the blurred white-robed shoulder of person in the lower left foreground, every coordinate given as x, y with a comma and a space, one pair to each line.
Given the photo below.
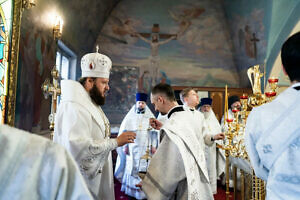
35, 168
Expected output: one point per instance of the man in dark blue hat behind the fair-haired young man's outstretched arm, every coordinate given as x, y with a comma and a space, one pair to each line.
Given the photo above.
215, 157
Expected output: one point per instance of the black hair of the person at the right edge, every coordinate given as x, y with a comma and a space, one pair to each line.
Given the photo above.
290, 57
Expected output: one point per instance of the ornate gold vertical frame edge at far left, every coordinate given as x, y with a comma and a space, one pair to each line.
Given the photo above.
13, 68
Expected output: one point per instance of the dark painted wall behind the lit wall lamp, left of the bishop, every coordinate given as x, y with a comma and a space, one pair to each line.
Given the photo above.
82, 22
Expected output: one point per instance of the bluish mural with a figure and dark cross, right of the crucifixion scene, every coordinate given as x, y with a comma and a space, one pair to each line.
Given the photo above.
247, 21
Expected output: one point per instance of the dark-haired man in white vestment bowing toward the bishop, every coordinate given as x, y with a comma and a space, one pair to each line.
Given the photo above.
178, 169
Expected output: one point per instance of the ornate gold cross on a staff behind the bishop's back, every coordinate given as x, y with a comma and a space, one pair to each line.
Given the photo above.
54, 91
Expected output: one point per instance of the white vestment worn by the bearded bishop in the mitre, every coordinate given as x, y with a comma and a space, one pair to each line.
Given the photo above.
83, 129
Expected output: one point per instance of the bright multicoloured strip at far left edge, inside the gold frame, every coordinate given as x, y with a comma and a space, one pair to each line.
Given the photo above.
5, 36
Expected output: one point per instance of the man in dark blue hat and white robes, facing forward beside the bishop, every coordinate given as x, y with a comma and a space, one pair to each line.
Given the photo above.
129, 162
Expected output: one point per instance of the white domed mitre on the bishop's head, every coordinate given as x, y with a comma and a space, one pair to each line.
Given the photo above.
95, 65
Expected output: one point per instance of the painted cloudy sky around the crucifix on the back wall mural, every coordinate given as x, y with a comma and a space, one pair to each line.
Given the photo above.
201, 56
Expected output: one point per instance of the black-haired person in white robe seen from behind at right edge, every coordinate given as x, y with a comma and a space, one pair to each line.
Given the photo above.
273, 132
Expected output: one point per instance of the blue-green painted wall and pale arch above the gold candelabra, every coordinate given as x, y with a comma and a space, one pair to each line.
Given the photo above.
270, 20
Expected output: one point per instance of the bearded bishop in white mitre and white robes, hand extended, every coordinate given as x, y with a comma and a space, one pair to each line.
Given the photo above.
83, 129
